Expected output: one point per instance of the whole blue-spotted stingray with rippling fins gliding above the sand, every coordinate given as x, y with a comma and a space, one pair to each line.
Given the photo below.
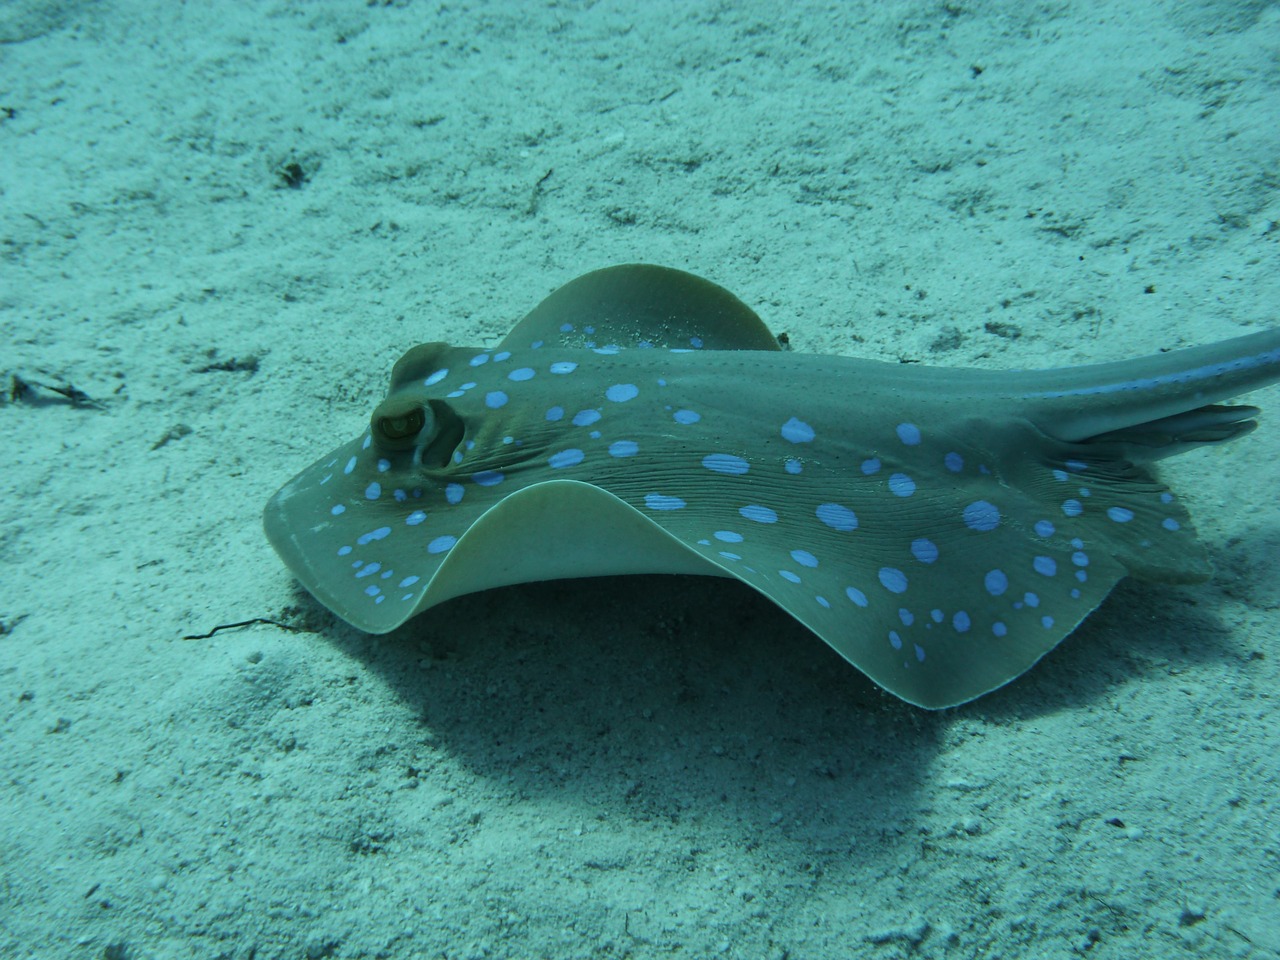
943, 529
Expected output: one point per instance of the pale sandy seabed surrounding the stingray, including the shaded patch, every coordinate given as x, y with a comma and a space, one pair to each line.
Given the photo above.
222, 223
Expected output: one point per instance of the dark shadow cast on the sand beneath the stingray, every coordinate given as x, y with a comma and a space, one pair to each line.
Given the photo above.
666, 698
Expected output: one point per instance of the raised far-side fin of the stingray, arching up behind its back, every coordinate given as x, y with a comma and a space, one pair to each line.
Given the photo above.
641, 305
